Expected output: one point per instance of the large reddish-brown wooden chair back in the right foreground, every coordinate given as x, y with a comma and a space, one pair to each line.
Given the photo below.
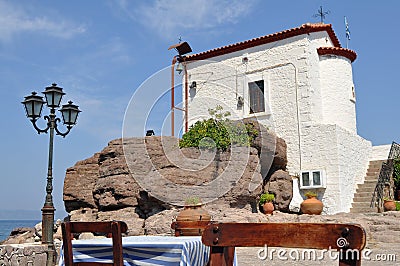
349, 239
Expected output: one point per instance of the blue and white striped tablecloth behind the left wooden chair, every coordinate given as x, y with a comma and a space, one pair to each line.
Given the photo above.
144, 250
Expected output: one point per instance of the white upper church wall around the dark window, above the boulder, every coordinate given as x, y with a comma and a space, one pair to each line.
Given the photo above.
284, 66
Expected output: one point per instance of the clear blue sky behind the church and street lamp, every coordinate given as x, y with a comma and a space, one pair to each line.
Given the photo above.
100, 51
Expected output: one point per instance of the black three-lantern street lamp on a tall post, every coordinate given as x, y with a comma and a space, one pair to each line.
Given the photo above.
33, 107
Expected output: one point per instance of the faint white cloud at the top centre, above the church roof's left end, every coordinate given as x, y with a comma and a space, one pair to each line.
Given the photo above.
170, 17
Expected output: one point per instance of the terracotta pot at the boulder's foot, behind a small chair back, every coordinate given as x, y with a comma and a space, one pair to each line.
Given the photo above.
193, 213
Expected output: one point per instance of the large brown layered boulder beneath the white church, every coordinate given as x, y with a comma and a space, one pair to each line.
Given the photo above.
143, 181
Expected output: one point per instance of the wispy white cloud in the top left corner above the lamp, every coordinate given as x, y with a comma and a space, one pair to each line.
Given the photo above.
15, 20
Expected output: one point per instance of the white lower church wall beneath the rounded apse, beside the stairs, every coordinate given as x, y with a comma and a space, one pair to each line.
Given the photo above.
343, 156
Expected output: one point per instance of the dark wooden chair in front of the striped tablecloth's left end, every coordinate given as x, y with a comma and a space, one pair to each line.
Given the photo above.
113, 229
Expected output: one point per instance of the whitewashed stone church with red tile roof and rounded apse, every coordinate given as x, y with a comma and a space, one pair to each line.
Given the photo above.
298, 83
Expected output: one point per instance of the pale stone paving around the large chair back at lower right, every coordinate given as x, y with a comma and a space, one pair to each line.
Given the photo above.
383, 241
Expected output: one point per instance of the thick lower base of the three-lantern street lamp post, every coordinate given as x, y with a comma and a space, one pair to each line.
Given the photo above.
47, 233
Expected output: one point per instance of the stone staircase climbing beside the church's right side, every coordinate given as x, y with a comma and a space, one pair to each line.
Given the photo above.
363, 196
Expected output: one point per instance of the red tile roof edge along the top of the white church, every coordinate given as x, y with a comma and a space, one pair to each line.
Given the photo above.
303, 29
